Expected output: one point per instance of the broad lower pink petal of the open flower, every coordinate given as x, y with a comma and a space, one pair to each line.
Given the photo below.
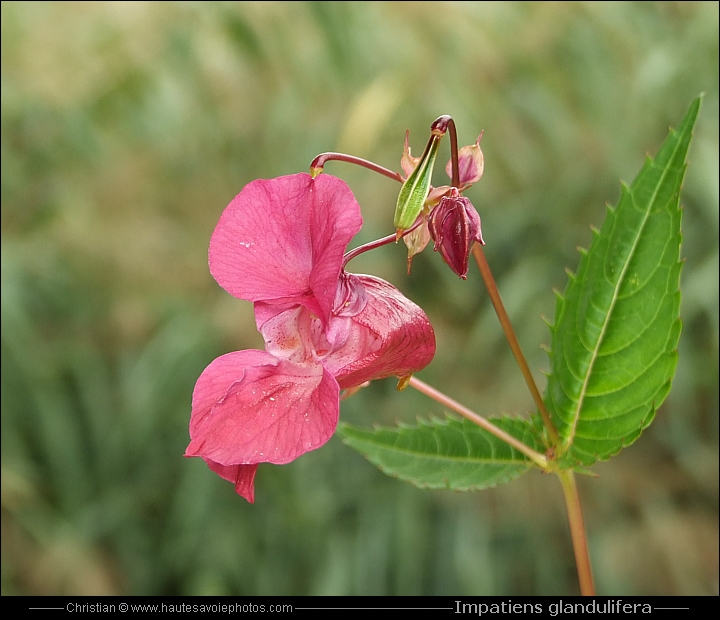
250, 407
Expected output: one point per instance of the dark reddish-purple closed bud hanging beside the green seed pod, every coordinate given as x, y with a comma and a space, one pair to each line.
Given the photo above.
454, 226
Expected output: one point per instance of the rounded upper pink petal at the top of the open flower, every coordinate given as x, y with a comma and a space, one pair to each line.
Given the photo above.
284, 238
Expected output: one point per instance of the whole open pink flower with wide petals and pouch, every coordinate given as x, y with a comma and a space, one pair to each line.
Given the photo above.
280, 244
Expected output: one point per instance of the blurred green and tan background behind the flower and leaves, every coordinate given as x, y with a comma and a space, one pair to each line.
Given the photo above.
126, 129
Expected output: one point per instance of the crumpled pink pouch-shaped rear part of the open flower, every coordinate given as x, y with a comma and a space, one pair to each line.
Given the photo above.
391, 336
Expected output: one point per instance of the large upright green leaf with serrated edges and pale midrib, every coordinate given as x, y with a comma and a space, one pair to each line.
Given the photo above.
614, 342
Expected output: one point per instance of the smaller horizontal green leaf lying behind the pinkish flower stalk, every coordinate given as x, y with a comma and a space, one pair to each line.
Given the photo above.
445, 454
